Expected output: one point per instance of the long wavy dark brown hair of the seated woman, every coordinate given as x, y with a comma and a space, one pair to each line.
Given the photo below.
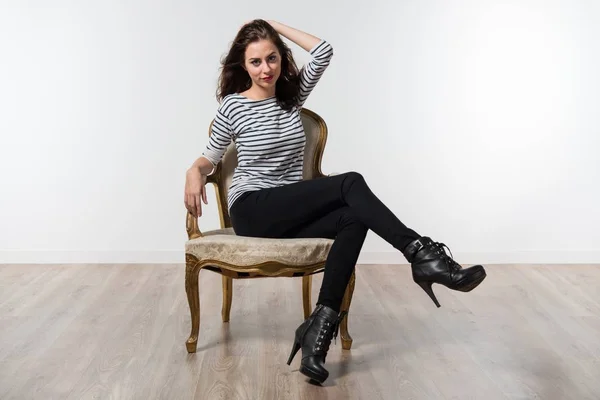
235, 79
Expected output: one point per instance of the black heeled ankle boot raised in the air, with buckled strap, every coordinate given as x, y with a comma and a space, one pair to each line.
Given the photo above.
430, 264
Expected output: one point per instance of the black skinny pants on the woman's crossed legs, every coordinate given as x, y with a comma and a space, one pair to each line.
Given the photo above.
340, 207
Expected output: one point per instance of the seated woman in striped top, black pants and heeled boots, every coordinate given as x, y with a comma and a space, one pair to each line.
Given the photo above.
261, 93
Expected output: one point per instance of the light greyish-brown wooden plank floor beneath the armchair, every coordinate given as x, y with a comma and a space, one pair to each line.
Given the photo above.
119, 332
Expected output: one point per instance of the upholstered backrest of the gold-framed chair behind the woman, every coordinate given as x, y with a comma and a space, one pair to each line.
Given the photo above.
316, 137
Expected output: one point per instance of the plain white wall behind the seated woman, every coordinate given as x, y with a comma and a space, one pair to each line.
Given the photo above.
475, 121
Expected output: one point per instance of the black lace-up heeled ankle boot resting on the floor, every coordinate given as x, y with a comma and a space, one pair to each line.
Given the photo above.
314, 337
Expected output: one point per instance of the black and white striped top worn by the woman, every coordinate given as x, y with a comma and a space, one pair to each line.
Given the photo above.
269, 140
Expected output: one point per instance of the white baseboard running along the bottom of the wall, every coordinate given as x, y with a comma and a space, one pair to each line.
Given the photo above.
384, 257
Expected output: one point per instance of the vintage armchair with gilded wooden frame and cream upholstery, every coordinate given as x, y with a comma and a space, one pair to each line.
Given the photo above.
238, 257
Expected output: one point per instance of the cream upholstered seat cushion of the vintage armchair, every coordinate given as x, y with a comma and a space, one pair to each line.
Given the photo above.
225, 246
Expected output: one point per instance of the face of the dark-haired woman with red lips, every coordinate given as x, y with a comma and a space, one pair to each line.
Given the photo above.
263, 63
